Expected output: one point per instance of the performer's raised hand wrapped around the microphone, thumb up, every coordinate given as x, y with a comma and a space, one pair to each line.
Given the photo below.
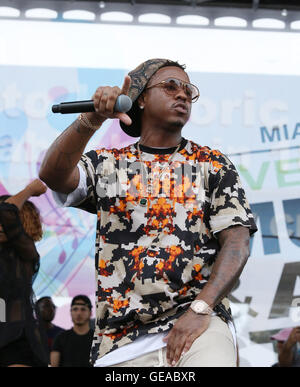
104, 100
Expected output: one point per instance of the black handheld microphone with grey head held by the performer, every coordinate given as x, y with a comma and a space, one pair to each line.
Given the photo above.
123, 105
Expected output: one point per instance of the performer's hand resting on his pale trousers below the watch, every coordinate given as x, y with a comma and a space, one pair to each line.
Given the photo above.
185, 331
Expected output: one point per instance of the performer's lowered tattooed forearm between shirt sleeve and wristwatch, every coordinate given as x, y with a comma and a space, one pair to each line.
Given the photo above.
228, 266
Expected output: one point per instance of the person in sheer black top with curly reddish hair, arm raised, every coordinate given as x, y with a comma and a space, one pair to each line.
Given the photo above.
22, 340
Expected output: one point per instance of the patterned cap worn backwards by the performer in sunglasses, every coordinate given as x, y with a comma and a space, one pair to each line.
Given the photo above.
139, 79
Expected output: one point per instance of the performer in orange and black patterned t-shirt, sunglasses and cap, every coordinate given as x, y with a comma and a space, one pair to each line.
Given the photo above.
173, 225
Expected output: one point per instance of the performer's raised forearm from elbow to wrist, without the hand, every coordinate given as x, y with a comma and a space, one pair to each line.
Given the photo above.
58, 169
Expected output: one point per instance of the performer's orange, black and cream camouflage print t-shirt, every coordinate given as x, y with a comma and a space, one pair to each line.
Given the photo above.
156, 239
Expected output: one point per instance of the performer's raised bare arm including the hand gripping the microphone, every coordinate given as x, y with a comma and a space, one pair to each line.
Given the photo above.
59, 168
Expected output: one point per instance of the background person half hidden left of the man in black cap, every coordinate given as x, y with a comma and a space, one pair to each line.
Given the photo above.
47, 311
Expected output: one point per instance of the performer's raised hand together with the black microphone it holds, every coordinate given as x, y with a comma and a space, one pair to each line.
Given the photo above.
107, 102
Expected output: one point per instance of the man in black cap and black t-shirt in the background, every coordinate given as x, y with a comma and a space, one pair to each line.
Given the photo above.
72, 347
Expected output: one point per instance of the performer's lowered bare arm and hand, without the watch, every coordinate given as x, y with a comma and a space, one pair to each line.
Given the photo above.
229, 264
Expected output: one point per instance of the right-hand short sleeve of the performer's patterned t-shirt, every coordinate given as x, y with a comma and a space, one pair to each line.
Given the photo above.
229, 205
